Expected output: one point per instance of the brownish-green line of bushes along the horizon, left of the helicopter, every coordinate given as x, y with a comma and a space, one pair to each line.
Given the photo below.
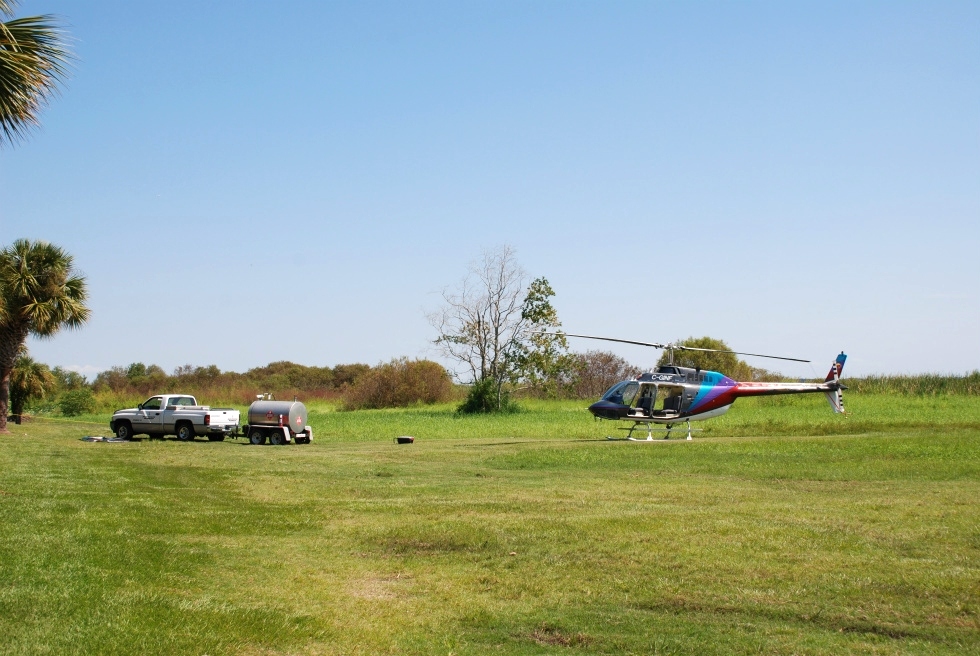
402, 382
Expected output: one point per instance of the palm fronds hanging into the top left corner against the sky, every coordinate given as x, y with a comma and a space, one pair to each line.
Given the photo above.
34, 60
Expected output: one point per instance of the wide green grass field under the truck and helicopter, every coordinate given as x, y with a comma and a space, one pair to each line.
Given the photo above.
781, 529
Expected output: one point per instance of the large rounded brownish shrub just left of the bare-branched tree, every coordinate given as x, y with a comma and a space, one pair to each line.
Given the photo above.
400, 383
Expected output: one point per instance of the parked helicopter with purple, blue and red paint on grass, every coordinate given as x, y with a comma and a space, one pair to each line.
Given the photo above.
674, 395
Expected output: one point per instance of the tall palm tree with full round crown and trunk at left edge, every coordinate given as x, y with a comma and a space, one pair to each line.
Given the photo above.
40, 293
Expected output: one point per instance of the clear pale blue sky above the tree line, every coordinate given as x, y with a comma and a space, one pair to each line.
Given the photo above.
245, 182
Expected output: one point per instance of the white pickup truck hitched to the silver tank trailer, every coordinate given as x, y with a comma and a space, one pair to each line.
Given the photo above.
175, 414
